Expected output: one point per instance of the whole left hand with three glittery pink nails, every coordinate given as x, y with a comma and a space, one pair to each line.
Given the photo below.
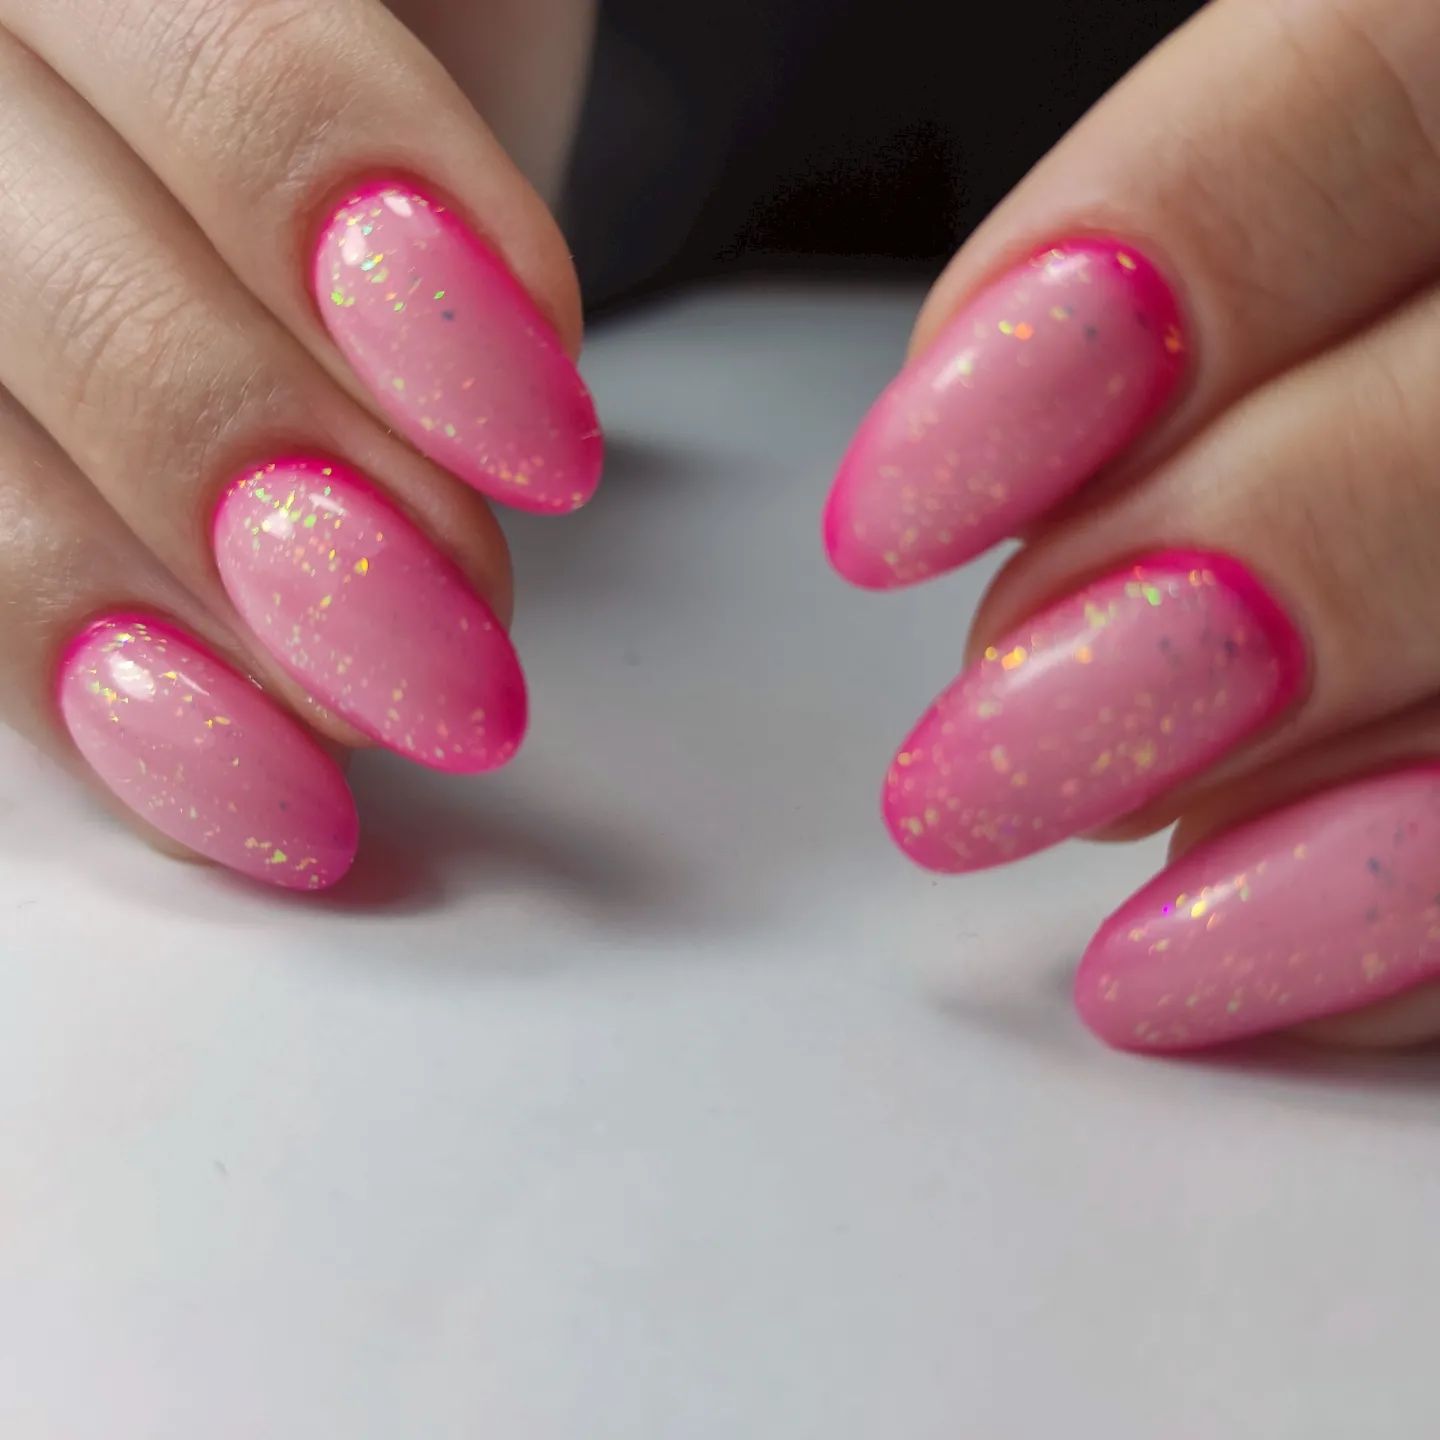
247, 240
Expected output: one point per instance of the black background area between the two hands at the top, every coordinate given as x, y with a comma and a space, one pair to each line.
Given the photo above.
724, 133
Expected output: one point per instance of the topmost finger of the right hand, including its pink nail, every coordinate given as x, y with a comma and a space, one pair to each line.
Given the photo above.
1251, 234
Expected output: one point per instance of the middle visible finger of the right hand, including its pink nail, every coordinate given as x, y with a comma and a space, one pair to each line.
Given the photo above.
1321, 492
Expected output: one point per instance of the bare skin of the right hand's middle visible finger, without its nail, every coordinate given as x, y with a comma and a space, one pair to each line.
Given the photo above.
1320, 485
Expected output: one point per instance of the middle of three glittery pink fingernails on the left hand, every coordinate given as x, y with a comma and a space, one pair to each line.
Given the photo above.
369, 617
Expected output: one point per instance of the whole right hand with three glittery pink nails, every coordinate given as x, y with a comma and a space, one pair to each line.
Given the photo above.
1194, 362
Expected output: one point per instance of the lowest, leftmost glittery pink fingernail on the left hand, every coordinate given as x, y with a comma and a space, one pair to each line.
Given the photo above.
205, 757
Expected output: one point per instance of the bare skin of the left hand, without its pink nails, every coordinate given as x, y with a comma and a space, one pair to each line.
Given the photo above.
135, 402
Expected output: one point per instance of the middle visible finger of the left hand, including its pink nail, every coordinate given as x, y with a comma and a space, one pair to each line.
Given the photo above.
165, 379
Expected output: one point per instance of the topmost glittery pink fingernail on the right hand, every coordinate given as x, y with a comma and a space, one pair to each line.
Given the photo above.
1046, 377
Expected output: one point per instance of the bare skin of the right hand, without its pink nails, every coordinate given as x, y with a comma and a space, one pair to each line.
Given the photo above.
1298, 224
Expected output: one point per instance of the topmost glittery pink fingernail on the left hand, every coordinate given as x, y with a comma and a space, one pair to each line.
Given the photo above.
454, 349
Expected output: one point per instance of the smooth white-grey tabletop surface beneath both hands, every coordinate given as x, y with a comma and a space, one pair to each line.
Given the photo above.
644, 1094
